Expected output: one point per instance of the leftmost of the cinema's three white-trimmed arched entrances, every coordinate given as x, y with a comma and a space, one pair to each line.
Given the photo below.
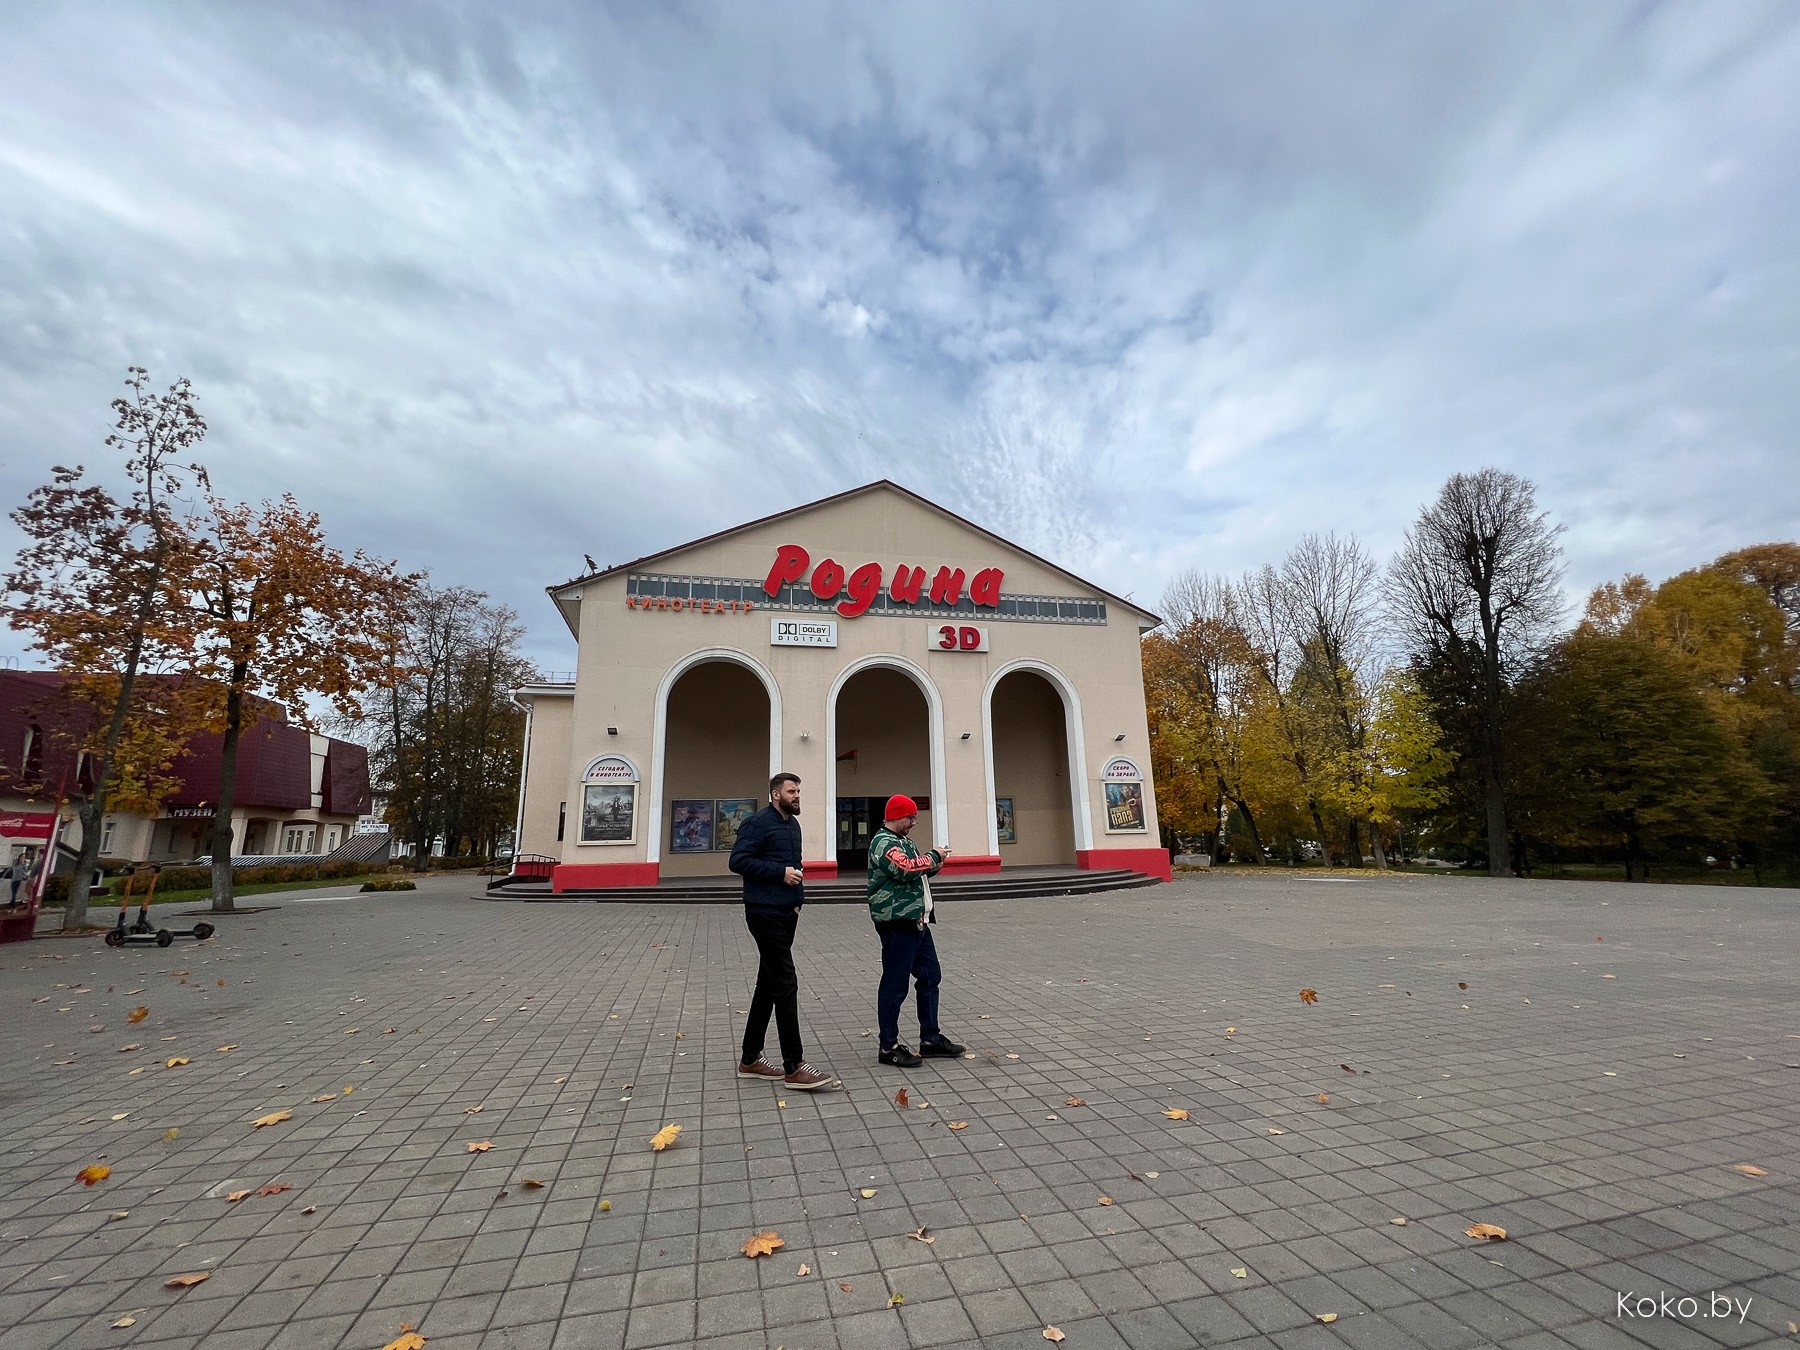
717, 737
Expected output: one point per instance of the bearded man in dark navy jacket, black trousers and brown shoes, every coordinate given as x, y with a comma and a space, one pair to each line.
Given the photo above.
769, 859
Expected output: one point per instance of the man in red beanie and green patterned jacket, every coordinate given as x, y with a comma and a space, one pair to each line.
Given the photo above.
901, 908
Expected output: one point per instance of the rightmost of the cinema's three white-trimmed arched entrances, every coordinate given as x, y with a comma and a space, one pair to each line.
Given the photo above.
1034, 739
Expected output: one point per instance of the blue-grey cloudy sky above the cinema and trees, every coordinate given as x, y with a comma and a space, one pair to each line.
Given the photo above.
1142, 287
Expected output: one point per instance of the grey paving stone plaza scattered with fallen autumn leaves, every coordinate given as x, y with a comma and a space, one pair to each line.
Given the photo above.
1612, 1074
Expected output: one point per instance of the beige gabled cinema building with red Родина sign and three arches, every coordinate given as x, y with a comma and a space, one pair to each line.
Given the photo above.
872, 643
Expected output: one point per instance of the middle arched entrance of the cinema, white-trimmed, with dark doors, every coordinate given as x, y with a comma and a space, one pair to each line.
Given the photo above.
886, 737
